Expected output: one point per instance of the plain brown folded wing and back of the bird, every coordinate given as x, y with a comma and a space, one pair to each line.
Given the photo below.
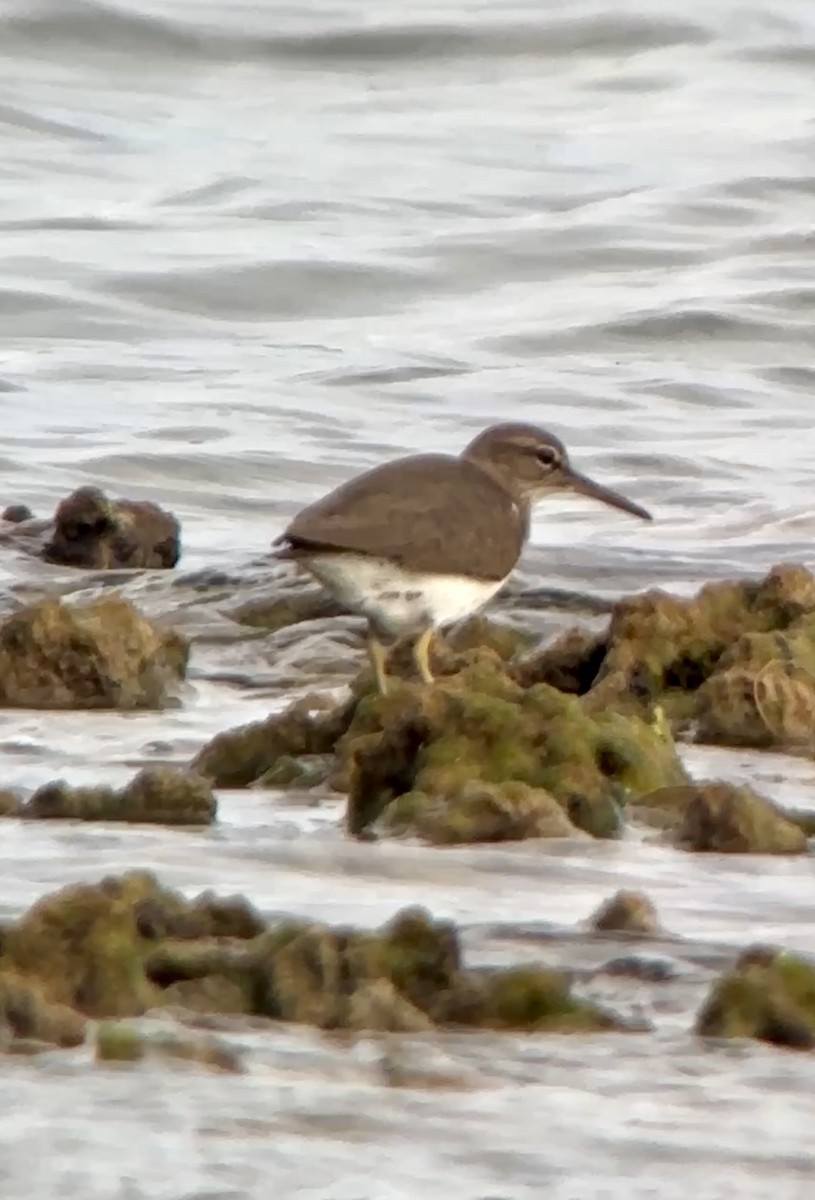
429, 513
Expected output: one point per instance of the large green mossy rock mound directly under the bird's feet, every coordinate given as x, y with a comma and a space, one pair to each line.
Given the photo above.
482, 727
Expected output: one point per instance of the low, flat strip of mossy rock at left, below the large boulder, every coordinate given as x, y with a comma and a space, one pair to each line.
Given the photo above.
155, 796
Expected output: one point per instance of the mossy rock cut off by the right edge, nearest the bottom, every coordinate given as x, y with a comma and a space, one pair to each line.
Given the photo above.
769, 995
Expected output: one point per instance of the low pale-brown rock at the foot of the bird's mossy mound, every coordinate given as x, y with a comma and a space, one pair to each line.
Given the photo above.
481, 813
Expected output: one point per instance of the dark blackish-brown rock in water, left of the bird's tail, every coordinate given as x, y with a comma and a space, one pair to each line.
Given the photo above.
94, 532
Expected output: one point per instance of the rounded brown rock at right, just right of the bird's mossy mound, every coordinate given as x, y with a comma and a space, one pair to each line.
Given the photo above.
726, 819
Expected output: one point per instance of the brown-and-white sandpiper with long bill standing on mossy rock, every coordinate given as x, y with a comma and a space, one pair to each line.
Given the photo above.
424, 542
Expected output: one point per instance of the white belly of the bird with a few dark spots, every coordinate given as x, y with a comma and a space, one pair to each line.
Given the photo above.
399, 602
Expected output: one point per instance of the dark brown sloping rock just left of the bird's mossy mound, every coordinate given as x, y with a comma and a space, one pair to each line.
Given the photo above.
244, 755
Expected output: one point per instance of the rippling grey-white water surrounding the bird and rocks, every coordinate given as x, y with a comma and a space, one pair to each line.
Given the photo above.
251, 249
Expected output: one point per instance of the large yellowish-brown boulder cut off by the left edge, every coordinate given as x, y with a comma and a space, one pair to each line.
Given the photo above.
99, 656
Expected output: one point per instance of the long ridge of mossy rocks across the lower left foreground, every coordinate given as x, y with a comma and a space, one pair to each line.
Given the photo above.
128, 946
